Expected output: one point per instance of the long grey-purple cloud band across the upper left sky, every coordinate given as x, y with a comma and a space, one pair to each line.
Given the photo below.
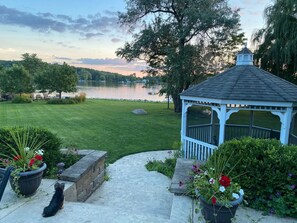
89, 27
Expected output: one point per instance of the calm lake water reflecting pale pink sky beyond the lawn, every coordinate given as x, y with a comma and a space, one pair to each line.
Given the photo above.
133, 91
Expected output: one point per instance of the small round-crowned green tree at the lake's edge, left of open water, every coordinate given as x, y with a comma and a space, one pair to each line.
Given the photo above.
59, 78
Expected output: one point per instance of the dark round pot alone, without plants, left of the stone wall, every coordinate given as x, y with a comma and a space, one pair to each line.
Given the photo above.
28, 182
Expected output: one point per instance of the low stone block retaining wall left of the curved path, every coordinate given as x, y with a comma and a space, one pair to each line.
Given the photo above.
87, 175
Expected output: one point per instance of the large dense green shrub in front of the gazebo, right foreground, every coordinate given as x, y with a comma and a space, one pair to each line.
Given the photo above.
269, 173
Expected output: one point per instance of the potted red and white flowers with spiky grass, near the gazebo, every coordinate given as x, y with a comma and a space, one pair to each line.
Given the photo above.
219, 195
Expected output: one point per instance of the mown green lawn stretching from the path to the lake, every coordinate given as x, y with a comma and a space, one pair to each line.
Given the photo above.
100, 124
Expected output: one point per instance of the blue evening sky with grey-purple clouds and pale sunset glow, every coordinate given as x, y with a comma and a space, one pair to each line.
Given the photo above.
84, 33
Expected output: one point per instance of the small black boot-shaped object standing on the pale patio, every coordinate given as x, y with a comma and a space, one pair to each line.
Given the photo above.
56, 202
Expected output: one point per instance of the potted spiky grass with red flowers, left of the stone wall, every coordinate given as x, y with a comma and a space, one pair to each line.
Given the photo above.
24, 154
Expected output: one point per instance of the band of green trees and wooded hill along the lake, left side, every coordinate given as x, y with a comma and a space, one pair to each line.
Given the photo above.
31, 74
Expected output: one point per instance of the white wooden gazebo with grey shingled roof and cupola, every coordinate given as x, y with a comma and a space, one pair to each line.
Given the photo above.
242, 87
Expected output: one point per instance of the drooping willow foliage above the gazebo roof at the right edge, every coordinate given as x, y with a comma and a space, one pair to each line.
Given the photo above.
277, 41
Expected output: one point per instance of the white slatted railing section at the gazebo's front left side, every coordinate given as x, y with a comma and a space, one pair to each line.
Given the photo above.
195, 149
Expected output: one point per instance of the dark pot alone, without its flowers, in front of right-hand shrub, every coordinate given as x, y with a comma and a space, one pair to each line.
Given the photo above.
218, 213
